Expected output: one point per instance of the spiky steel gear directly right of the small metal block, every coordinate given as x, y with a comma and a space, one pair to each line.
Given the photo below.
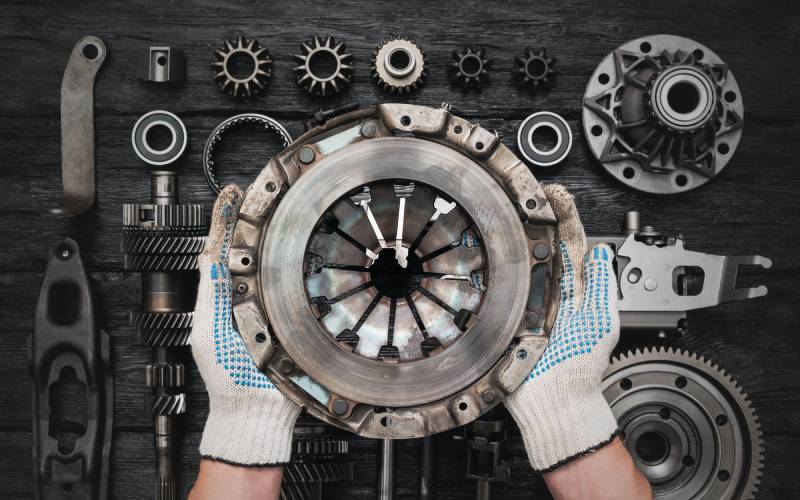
230, 80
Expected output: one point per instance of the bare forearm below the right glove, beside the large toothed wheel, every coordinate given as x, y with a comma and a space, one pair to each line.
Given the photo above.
608, 473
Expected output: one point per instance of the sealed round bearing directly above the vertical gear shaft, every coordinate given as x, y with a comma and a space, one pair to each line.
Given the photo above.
142, 140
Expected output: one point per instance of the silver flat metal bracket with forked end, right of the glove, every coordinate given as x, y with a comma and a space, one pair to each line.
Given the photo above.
659, 280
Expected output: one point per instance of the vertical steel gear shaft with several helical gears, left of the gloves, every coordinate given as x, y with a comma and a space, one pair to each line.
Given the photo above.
162, 240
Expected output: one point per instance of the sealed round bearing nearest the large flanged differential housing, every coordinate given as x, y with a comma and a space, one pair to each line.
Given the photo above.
533, 153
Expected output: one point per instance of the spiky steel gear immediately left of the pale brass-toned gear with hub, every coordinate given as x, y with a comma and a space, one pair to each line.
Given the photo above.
323, 67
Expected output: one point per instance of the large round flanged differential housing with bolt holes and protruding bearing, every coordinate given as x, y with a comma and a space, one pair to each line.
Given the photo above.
663, 114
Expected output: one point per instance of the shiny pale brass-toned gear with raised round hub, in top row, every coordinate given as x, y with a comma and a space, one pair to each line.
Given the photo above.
399, 66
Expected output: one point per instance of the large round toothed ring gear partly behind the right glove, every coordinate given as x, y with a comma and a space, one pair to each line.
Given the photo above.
688, 425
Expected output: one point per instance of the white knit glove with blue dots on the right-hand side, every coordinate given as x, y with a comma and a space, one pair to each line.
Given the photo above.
560, 408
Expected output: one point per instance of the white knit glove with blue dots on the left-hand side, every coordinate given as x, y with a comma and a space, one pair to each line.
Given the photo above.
249, 422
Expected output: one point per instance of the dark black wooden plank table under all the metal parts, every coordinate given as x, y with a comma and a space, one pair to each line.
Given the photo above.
751, 208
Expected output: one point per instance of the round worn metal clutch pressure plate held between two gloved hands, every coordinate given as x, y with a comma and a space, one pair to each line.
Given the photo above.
392, 271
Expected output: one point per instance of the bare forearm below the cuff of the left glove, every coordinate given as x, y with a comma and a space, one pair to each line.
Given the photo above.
220, 480
